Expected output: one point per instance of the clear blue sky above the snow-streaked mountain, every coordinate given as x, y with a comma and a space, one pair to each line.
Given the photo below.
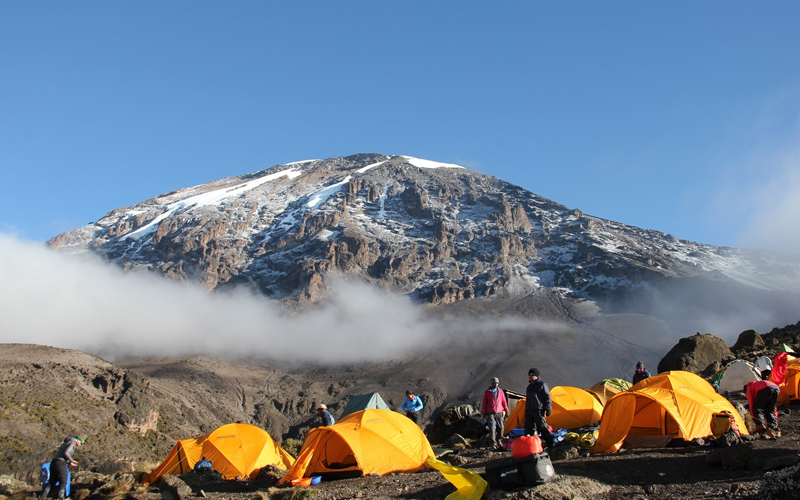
677, 116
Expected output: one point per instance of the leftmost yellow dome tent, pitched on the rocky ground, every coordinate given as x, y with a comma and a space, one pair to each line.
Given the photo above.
235, 450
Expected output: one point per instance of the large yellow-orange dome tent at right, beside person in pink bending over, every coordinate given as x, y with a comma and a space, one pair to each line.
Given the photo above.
678, 404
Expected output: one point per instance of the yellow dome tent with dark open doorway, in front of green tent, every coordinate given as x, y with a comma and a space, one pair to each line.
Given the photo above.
365, 442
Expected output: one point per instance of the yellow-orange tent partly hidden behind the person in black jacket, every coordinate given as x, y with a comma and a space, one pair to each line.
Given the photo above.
572, 408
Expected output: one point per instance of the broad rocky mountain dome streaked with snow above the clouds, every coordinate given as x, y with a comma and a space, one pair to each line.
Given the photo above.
438, 232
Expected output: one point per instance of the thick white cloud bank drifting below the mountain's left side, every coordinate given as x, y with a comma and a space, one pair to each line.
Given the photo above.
82, 303
